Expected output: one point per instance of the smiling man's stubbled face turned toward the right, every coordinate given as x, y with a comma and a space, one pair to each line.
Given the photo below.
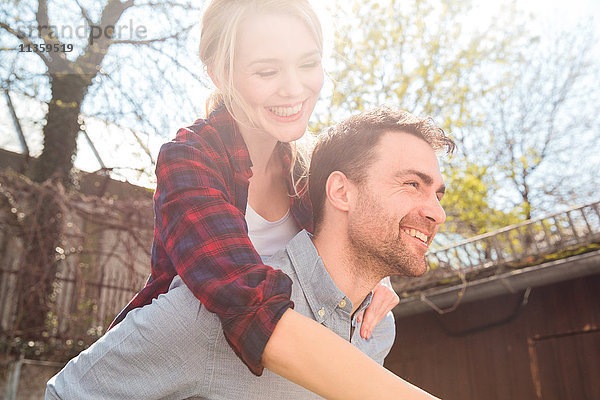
397, 209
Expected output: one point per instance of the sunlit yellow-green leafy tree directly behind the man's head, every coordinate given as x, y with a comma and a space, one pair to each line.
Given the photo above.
421, 57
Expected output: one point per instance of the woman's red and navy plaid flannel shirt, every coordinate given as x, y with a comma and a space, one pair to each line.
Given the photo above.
201, 235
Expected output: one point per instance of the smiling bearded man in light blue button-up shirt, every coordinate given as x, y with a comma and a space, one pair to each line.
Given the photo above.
376, 188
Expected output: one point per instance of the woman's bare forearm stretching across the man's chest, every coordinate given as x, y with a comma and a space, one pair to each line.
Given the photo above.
311, 355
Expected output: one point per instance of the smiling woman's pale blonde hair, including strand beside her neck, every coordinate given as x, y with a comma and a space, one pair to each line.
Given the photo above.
220, 26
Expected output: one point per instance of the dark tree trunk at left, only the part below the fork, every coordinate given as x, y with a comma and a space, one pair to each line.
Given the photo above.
55, 163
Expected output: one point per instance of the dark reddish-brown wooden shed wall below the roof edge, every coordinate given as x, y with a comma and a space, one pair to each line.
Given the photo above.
494, 361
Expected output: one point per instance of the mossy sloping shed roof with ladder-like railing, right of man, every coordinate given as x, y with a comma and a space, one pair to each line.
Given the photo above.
540, 251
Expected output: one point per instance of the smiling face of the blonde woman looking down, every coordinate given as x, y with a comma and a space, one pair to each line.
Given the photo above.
277, 71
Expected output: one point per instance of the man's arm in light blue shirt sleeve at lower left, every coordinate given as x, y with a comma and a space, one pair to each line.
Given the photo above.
146, 356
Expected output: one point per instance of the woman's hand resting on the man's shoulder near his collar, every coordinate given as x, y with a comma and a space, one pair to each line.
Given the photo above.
384, 299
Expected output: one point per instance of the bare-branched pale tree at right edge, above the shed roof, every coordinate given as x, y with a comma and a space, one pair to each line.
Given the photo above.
543, 119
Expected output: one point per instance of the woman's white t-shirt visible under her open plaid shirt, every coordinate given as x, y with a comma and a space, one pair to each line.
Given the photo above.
269, 237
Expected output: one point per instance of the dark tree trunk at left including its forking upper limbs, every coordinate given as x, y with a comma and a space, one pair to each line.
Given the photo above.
70, 81
